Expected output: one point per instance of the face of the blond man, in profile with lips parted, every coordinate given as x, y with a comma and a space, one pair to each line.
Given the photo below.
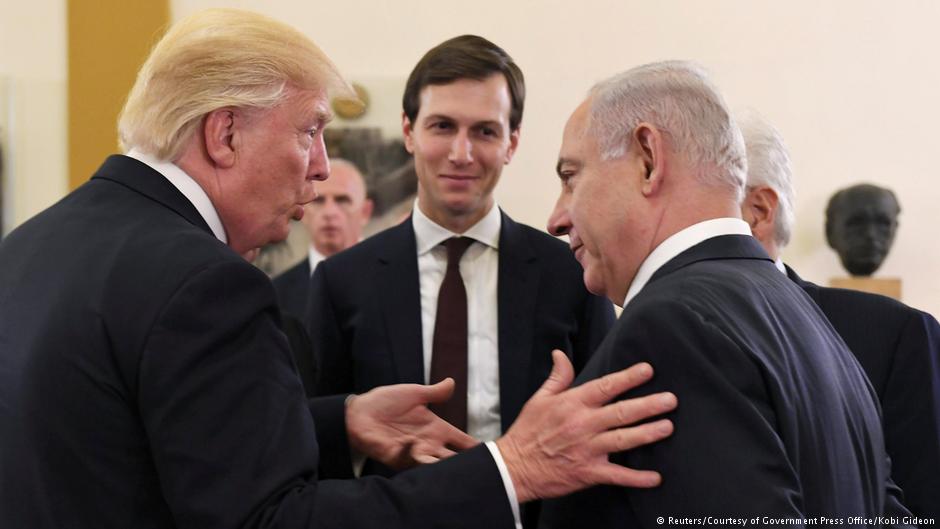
279, 155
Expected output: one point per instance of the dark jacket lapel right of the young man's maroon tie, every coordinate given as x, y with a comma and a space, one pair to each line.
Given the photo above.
516, 297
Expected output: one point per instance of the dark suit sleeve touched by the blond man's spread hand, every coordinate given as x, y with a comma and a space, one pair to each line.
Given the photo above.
703, 465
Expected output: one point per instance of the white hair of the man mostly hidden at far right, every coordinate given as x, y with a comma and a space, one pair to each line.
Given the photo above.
768, 164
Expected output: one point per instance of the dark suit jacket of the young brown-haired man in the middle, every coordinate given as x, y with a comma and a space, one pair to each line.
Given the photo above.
365, 313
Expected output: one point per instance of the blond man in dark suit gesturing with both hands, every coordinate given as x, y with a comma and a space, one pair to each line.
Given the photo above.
144, 378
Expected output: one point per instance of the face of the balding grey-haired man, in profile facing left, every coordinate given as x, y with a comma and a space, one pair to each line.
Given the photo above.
600, 208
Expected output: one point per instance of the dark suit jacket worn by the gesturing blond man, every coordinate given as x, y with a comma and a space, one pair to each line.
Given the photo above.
145, 383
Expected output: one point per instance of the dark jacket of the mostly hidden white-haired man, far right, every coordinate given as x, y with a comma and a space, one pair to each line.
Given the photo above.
899, 348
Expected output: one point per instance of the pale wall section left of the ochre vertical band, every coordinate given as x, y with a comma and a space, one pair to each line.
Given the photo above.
32, 81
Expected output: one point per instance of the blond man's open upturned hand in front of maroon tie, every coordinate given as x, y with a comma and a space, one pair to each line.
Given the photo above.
393, 425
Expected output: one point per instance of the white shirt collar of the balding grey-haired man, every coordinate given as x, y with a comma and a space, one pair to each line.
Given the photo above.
680, 242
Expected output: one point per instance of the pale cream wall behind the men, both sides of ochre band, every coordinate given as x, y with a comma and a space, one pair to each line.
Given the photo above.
851, 84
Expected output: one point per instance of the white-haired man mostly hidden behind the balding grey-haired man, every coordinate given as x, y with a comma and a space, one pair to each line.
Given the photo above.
897, 346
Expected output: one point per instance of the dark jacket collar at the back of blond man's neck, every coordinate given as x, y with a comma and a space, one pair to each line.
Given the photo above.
142, 178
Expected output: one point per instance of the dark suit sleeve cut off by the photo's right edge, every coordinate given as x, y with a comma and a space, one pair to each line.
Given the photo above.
911, 409
